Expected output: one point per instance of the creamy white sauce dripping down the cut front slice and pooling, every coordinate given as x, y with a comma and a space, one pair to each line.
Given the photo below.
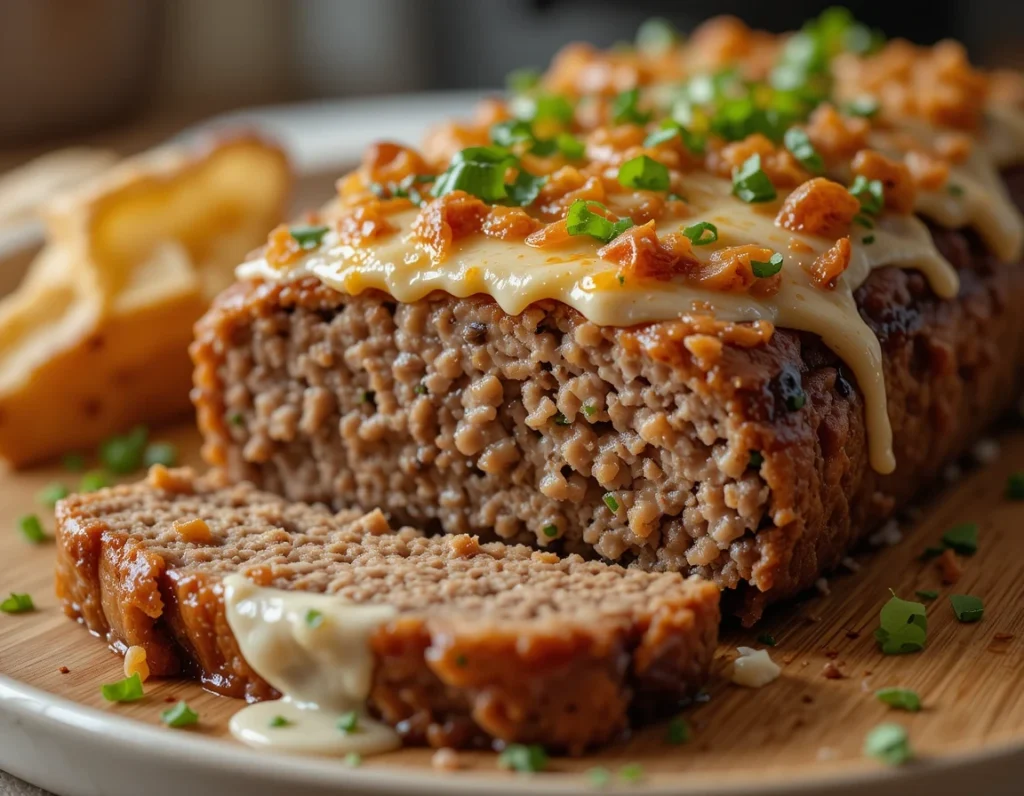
323, 667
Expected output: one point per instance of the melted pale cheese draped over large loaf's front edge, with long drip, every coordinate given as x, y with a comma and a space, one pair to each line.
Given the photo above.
517, 276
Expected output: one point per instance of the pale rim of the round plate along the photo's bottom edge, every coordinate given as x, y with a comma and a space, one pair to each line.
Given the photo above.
78, 751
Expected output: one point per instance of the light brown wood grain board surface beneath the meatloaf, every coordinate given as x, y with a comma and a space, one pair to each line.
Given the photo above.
971, 677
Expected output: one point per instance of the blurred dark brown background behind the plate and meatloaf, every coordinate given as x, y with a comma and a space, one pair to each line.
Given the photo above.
125, 72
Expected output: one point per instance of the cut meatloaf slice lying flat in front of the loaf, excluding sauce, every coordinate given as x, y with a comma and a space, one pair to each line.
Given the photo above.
491, 642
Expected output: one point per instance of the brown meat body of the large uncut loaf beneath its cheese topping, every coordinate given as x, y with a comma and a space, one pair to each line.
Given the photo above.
749, 468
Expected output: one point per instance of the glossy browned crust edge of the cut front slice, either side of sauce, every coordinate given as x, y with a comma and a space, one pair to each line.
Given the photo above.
439, 682
